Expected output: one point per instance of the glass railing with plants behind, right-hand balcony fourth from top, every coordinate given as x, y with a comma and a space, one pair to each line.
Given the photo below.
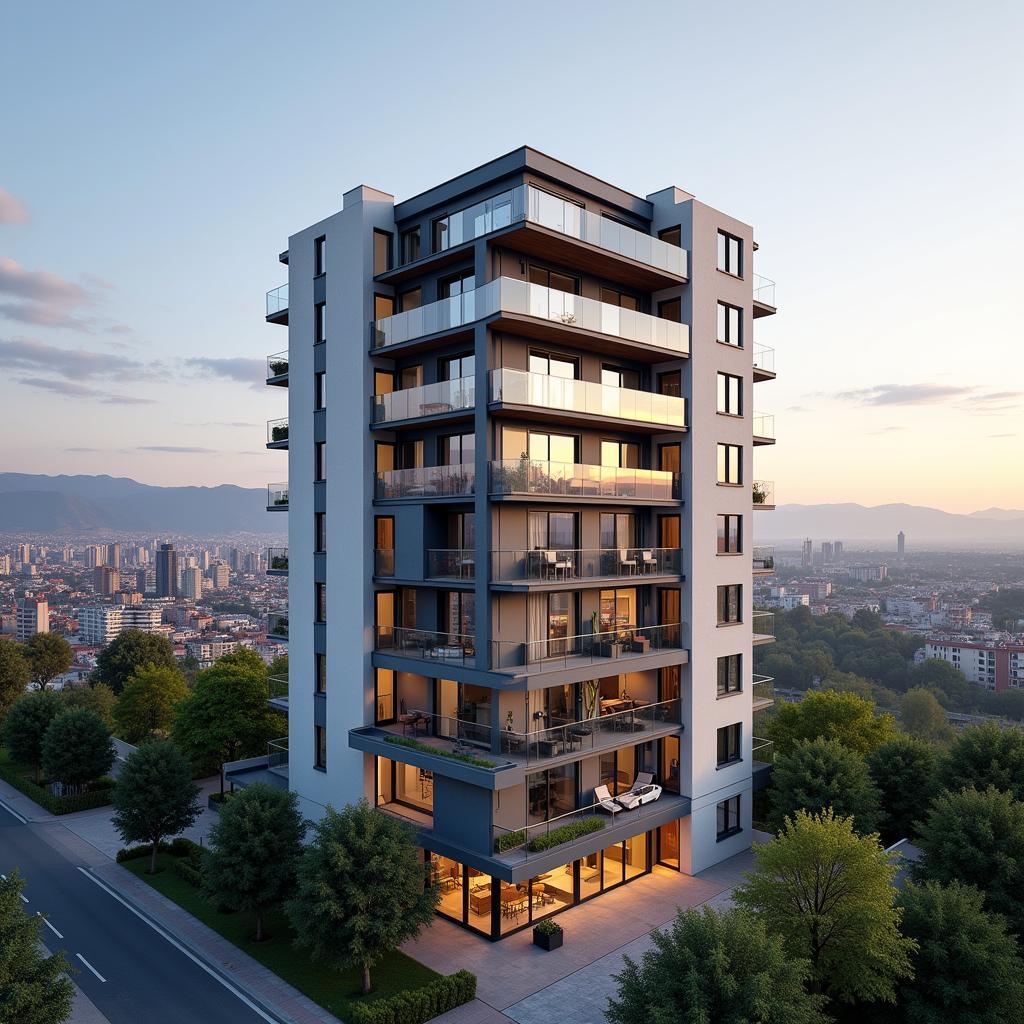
567, 480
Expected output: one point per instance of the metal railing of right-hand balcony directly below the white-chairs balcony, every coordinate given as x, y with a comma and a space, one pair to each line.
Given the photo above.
551, 653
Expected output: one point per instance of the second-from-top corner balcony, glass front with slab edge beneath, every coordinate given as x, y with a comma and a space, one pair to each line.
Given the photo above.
540, 313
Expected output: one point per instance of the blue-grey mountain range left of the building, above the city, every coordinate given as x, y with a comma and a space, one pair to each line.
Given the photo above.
82, 504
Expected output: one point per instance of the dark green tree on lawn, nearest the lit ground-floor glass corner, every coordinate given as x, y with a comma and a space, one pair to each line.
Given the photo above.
355, 854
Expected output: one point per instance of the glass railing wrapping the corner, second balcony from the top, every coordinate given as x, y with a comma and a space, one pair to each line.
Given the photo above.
517, 296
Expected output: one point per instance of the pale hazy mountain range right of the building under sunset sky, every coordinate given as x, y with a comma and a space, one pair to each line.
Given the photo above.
881, 524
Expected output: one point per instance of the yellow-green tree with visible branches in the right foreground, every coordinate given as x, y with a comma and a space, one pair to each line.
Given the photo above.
829, 893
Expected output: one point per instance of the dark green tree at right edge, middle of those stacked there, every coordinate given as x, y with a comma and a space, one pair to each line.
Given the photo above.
977, 838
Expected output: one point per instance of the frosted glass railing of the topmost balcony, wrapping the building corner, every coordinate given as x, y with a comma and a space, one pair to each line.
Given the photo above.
528, 203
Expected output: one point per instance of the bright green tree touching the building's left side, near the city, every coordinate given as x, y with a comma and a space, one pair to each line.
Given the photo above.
228, 716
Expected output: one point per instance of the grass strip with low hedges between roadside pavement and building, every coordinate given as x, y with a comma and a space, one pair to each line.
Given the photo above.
336, 992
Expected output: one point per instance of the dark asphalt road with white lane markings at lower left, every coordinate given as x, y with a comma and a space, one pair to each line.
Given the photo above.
134, 973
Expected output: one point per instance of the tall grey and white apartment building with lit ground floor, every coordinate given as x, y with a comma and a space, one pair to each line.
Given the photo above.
521, 491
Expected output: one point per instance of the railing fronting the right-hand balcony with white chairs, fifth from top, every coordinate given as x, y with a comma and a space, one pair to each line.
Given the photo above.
574, 564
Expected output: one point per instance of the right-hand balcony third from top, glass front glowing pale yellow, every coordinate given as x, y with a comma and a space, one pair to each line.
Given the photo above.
560, 396
